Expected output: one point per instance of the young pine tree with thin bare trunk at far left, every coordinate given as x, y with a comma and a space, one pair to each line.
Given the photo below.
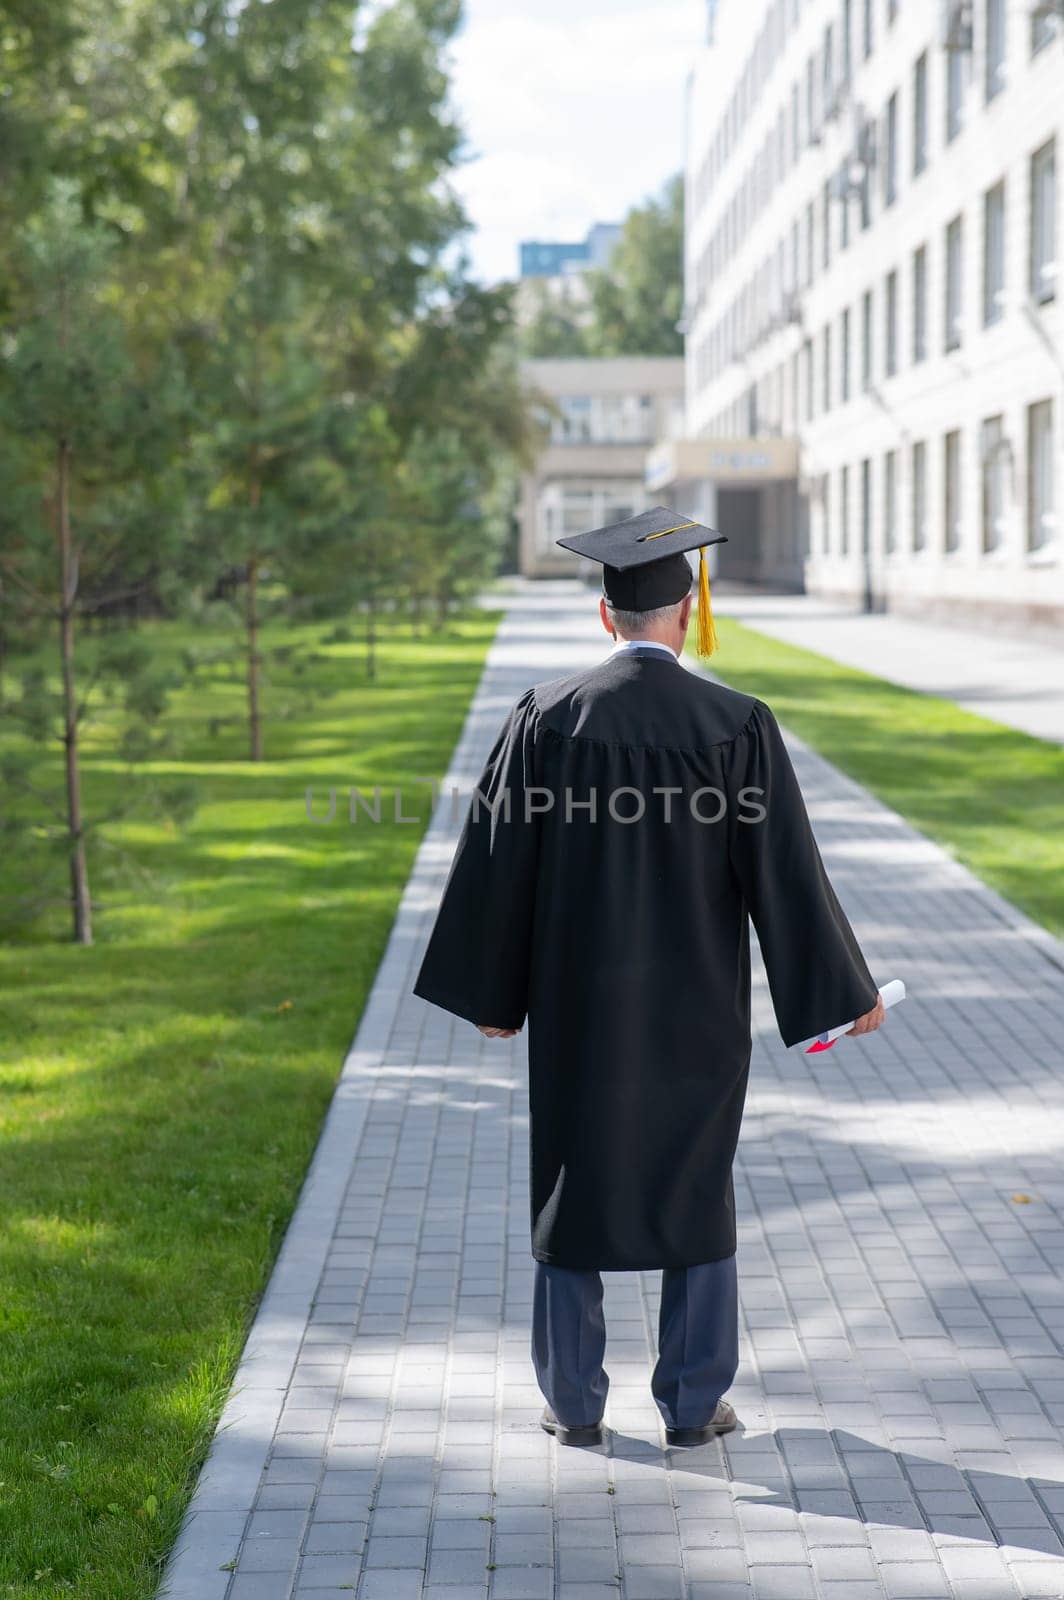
95, 434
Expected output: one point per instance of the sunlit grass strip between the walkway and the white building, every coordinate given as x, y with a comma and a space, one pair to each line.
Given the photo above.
990, 796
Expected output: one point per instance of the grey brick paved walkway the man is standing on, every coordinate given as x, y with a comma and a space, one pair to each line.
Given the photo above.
903, 1314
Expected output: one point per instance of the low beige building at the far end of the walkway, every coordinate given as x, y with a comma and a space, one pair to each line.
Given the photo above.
593, 465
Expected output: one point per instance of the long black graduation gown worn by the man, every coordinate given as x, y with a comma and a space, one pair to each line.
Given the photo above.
625, 942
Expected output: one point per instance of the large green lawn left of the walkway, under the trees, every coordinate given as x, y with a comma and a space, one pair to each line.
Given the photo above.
161, 1094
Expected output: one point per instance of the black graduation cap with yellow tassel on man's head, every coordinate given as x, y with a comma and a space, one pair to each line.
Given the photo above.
644, 564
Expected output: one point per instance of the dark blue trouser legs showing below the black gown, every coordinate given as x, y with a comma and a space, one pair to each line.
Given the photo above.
698, 1342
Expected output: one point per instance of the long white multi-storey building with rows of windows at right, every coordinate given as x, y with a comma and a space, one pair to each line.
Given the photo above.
873, 249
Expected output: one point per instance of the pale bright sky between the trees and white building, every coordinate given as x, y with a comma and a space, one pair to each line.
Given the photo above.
574, 113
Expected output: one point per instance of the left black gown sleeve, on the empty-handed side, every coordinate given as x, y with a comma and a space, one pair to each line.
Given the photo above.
479, 954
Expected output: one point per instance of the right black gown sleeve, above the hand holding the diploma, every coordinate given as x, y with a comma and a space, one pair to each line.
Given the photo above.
817, 974
